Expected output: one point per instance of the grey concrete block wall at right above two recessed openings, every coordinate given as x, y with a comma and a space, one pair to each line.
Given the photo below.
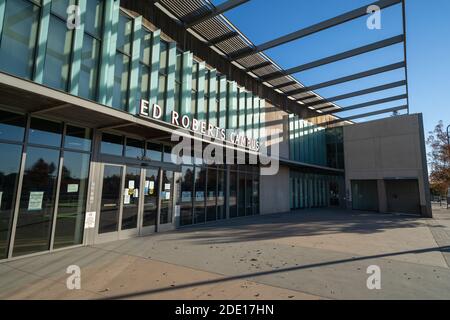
392, 148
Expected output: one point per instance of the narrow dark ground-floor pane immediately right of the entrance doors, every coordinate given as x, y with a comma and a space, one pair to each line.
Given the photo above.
185, 198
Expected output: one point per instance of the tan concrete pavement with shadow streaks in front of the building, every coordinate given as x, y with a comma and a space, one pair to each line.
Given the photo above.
310, 254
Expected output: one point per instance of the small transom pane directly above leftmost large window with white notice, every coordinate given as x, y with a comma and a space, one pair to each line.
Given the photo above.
45, 132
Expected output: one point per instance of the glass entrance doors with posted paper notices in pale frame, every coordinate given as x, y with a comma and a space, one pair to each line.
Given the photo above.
135, 201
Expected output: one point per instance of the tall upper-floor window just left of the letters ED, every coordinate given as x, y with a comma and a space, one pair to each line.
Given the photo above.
122, 63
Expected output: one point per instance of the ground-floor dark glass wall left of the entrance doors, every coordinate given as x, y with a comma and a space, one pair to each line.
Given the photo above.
52, 200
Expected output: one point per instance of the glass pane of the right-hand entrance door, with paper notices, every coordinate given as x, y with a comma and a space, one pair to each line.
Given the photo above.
150, 197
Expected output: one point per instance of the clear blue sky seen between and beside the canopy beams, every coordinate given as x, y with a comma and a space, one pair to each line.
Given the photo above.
428, 47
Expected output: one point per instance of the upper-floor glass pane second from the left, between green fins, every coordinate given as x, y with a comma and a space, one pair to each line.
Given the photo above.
57, 57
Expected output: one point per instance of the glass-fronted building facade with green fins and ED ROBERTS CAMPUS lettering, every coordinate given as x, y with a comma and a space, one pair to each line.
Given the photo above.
86, 160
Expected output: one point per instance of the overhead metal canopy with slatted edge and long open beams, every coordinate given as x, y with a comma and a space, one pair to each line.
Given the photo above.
206, 20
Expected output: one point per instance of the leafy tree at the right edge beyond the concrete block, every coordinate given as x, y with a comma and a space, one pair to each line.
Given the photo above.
439, 159
